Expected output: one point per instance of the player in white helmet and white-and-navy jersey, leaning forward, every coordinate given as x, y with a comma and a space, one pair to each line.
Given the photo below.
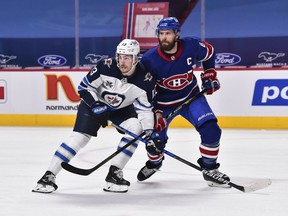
119, 90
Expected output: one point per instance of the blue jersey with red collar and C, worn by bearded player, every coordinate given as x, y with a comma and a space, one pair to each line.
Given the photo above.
174, 73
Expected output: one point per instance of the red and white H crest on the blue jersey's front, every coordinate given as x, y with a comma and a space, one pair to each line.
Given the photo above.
177, 82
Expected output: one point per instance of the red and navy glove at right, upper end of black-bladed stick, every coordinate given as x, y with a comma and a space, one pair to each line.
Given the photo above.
210, 81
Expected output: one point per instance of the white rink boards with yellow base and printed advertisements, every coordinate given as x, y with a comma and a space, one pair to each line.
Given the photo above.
248, 98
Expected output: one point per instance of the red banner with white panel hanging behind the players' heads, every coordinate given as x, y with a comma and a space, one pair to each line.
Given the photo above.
140, 22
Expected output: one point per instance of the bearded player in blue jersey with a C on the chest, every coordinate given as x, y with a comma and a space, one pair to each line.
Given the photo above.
171, 64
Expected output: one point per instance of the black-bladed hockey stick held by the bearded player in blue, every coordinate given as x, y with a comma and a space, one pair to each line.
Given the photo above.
81, 171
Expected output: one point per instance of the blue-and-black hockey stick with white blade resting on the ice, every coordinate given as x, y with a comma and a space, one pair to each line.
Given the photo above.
259, 184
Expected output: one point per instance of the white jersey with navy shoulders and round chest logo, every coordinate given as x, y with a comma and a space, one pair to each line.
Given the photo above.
105, 83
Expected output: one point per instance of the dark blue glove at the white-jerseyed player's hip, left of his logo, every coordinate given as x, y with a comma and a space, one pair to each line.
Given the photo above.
100, 113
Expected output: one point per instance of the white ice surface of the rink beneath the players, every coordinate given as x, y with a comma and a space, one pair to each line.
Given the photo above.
245, 155
